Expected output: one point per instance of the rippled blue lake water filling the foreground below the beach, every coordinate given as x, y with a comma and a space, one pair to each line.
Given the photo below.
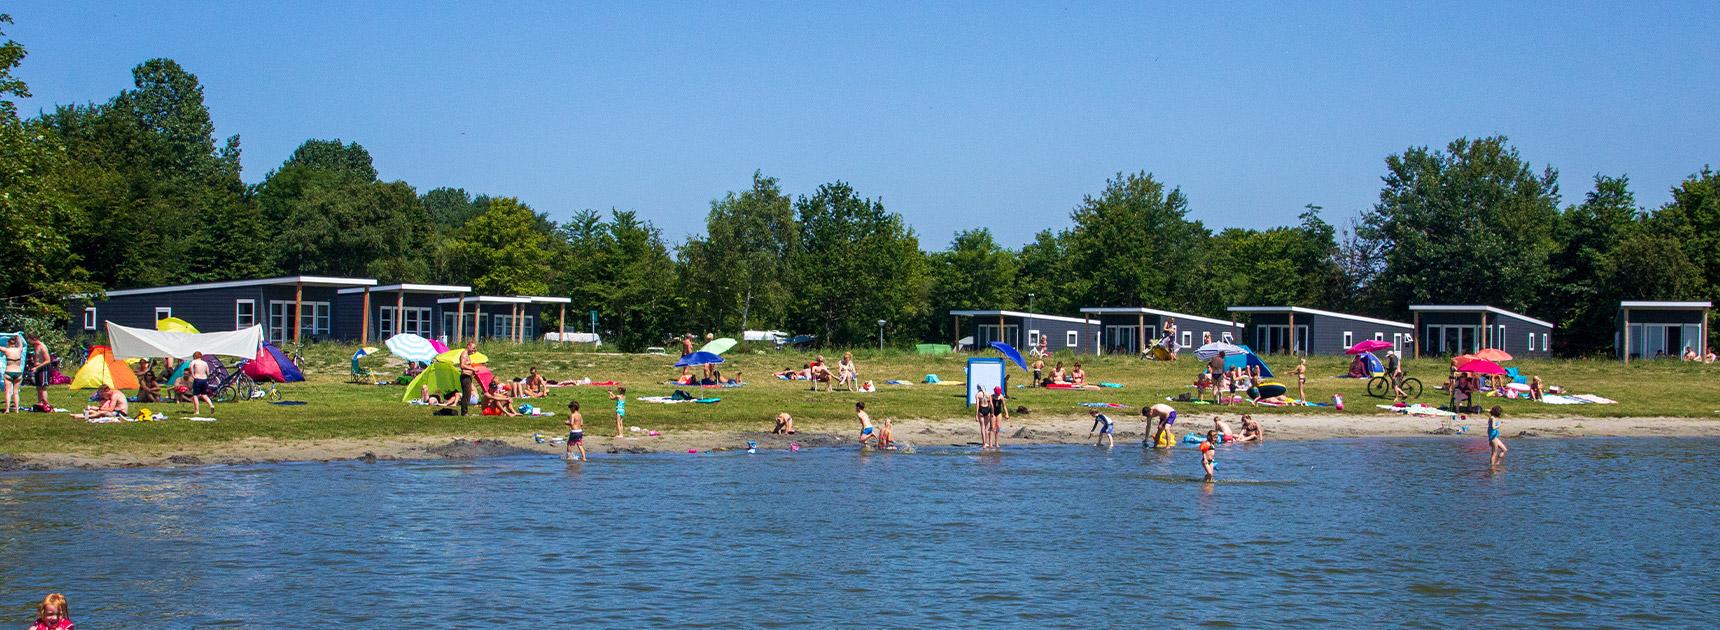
1336, 533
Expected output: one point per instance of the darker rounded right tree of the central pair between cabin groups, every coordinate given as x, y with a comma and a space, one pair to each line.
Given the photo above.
857, 264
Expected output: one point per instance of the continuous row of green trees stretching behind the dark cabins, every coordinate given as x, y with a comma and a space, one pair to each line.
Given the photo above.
138, 192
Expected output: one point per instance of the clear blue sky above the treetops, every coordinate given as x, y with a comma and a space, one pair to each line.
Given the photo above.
959, 116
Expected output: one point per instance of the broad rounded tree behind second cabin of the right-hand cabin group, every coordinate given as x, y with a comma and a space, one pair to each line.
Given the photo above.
1133, 245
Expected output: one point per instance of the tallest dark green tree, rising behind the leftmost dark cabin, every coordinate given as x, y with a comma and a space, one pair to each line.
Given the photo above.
166, 202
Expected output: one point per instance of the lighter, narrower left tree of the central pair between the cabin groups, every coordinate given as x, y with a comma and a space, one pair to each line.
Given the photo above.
737, 276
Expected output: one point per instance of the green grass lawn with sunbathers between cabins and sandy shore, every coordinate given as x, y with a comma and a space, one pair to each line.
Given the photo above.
343, 411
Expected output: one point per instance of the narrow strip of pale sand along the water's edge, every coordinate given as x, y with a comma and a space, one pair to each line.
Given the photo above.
916, 433
